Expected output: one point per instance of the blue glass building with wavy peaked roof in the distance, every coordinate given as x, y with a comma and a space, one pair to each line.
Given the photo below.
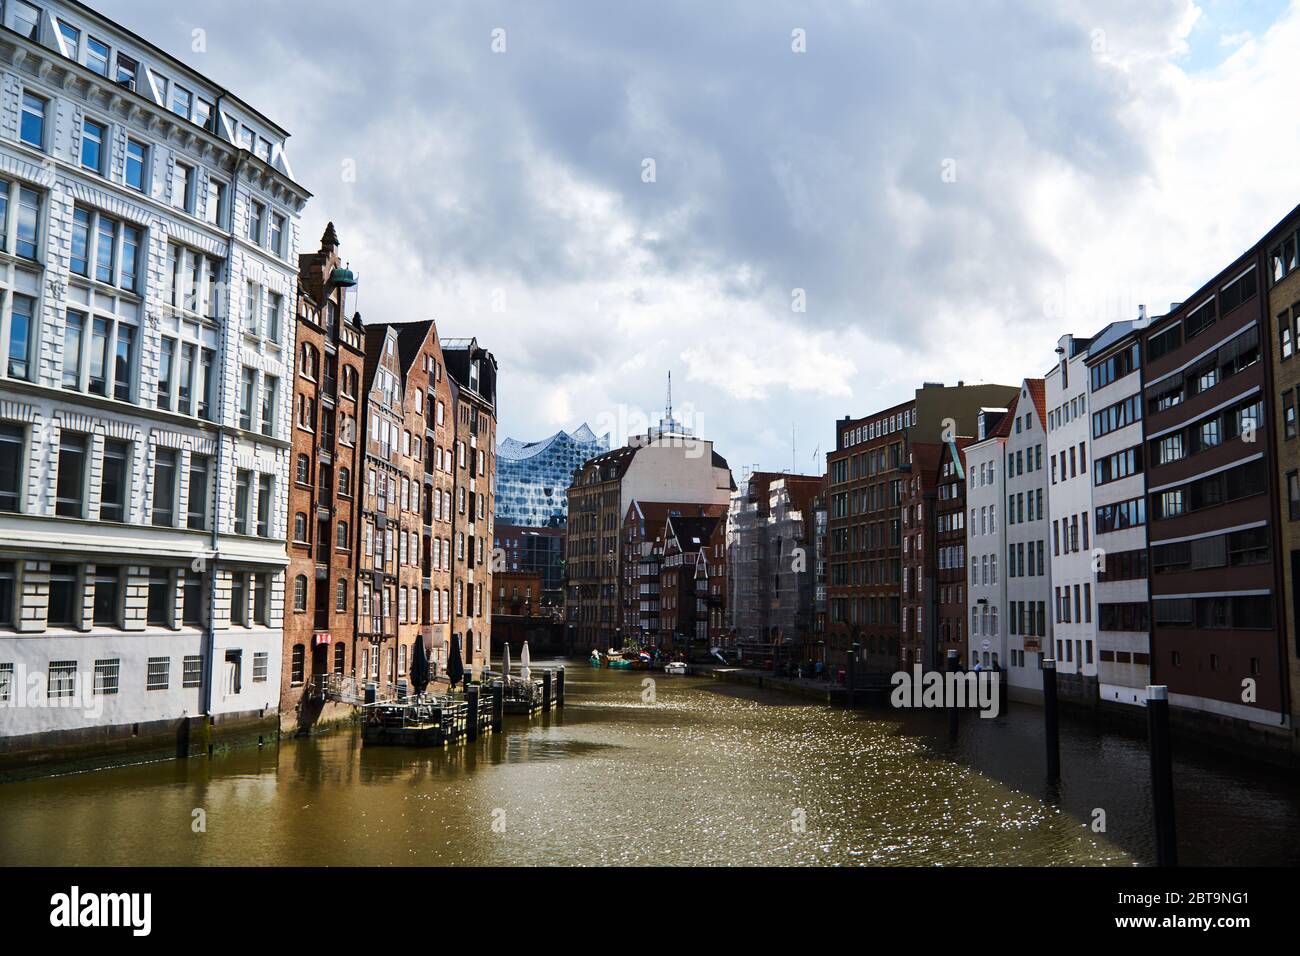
534, 478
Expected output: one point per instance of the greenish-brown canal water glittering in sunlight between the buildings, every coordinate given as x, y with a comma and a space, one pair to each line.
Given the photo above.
697, 773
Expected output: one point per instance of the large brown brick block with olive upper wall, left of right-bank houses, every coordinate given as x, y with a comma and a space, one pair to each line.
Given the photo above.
868, 470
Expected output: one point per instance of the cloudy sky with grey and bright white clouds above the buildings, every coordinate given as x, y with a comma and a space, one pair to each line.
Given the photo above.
929, 192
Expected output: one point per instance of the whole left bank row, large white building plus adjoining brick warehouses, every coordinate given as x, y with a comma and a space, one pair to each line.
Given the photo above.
216, 487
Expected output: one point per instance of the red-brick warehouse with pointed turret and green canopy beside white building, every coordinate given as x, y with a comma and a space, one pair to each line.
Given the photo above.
319, 617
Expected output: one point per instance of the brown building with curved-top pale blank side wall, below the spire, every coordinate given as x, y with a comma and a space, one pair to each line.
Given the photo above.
666, 464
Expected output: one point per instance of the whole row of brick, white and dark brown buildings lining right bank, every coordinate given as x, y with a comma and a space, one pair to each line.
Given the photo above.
1130, 514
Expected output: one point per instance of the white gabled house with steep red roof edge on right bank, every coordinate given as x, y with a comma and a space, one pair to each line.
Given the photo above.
1029, 574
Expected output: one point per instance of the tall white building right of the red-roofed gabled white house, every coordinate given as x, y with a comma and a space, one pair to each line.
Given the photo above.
1071, 514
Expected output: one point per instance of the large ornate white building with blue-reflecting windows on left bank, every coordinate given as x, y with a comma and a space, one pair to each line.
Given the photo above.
148, 272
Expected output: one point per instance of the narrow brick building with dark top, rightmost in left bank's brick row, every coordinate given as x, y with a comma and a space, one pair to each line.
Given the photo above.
473, 373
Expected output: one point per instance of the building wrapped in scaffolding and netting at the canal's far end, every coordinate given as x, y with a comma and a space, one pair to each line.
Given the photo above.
770, 557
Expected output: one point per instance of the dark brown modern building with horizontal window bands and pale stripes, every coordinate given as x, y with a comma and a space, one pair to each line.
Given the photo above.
1216, 570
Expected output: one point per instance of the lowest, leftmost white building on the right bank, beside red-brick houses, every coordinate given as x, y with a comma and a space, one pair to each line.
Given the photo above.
986, 491
